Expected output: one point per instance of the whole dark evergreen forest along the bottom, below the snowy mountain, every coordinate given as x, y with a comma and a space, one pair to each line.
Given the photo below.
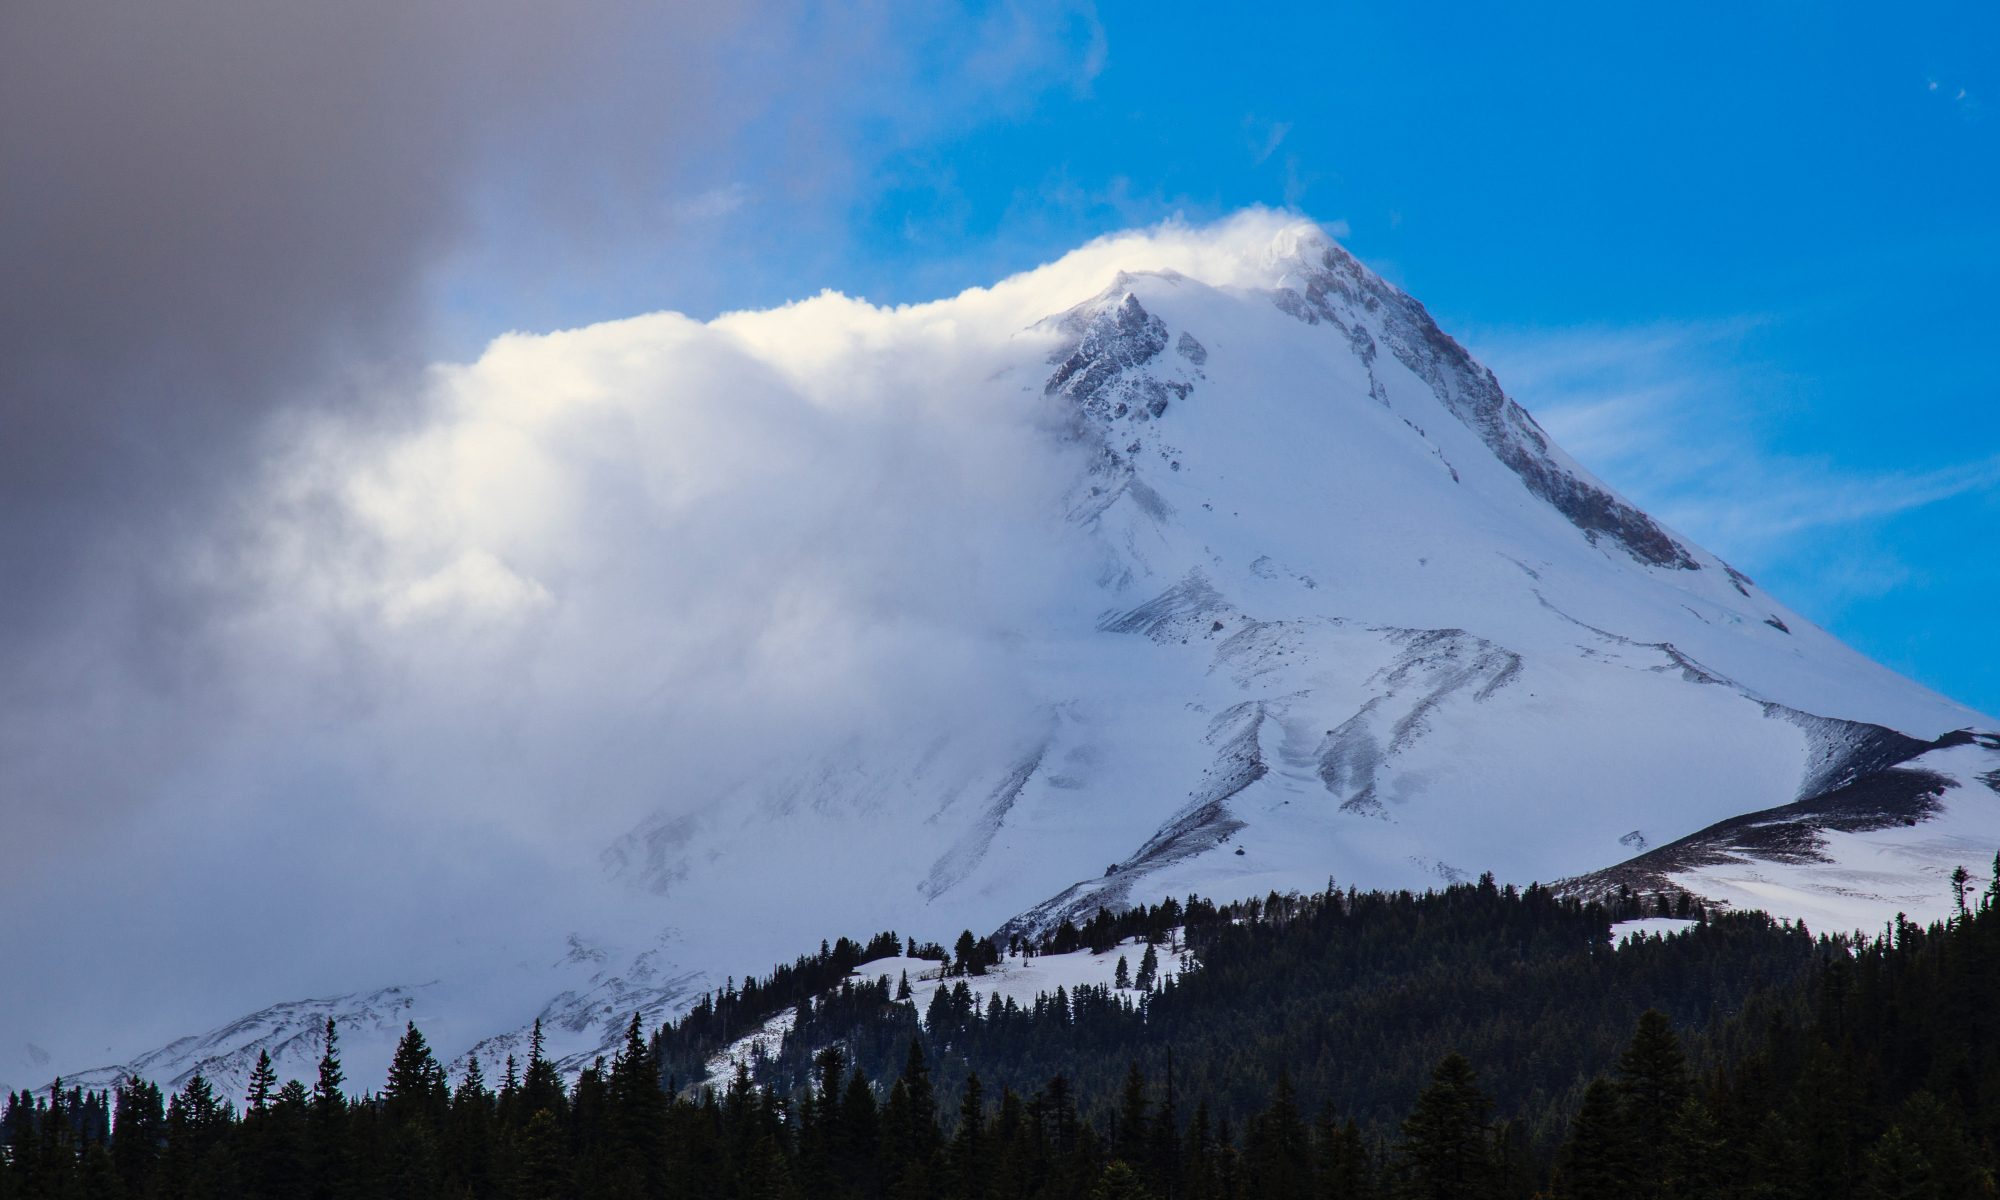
1477, 1043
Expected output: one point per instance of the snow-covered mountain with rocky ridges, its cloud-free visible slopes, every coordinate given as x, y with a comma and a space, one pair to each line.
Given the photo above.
1339, 609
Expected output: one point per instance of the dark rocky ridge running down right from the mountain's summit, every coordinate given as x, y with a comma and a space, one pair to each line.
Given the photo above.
1333, 281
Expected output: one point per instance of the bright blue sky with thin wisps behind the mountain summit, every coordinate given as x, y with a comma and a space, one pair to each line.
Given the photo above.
1741, 259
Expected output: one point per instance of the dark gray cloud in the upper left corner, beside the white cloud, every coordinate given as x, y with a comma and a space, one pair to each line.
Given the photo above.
217, 211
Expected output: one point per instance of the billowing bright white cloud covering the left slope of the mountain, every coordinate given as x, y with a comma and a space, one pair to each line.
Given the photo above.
597, 575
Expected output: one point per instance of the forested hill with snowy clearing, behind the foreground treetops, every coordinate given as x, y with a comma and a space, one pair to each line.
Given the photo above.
1355, 995
